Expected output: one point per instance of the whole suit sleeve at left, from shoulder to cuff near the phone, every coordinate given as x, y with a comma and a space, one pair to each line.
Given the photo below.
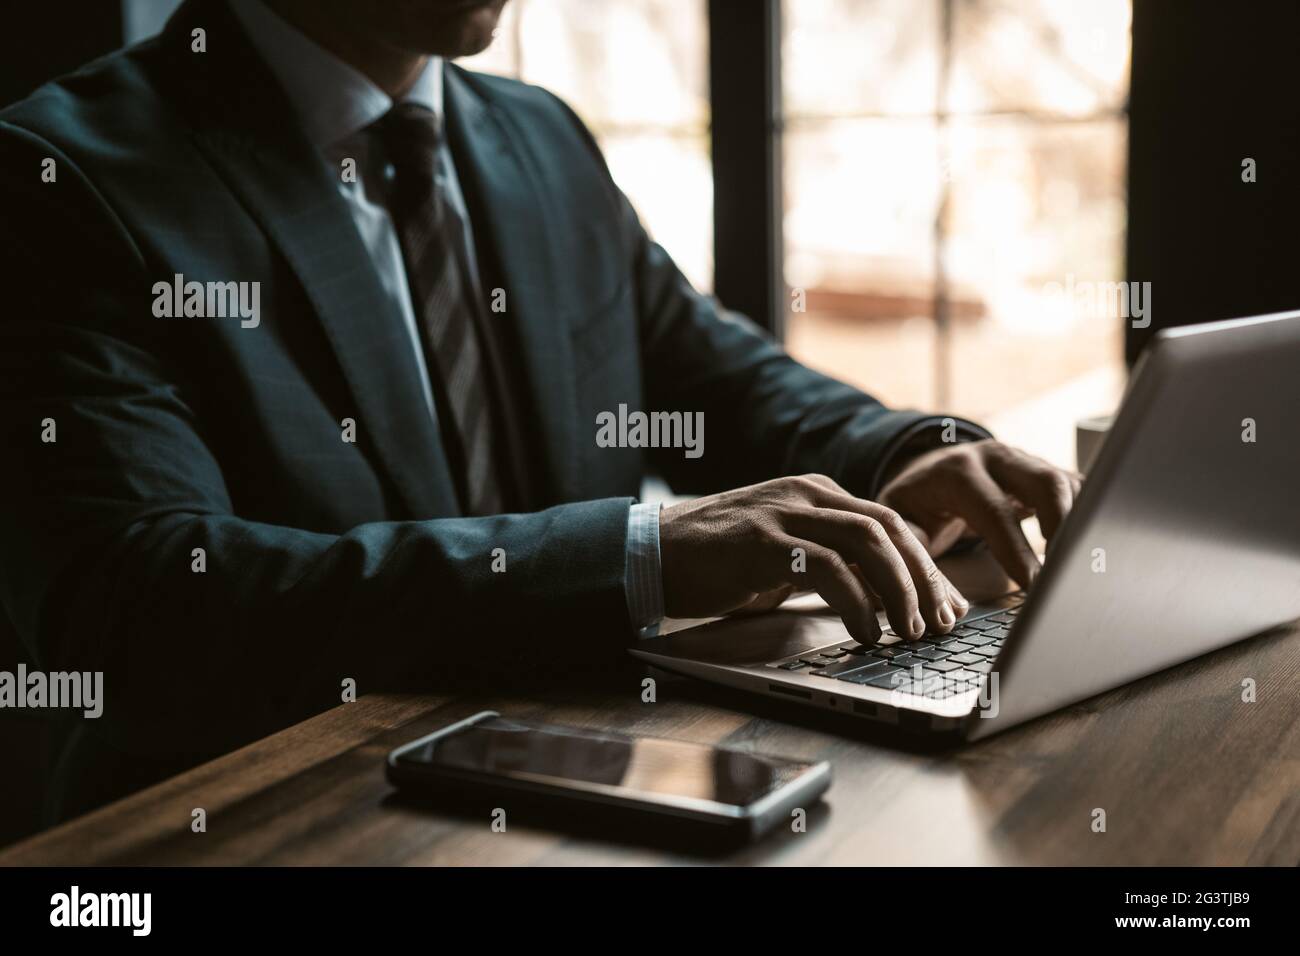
122, 551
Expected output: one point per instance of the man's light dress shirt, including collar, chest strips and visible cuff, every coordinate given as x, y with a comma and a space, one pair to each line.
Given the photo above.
336, 105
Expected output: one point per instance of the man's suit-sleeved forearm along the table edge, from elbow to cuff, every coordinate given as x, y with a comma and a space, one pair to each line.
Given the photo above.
279, 618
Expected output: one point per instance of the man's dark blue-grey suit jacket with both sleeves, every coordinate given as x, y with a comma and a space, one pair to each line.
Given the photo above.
327, 560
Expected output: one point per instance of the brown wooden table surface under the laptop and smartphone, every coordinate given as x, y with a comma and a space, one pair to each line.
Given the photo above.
1186, 772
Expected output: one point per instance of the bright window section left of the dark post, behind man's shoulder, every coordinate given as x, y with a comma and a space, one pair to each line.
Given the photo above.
638, 73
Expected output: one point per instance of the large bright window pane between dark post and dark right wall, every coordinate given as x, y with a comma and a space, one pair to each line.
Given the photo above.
951, 167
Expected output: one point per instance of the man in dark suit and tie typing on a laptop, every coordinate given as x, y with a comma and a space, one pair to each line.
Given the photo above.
323, 361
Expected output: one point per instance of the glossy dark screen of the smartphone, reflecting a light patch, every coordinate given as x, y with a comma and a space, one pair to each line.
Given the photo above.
647, 769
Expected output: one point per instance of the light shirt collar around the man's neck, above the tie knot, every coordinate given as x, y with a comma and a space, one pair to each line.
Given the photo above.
333, 101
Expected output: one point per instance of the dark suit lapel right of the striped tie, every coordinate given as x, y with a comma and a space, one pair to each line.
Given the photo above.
501, 188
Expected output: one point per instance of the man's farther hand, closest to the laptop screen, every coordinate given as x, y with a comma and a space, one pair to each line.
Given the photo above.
986, 488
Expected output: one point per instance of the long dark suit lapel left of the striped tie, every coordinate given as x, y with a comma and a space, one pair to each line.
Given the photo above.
288, 188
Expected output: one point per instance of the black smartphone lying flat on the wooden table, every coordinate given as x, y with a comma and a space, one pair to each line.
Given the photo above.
491, 763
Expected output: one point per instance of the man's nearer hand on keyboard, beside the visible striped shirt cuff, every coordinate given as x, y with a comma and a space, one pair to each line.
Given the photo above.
751, 548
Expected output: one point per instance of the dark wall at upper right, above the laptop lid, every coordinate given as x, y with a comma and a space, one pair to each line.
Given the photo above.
1215, 83
